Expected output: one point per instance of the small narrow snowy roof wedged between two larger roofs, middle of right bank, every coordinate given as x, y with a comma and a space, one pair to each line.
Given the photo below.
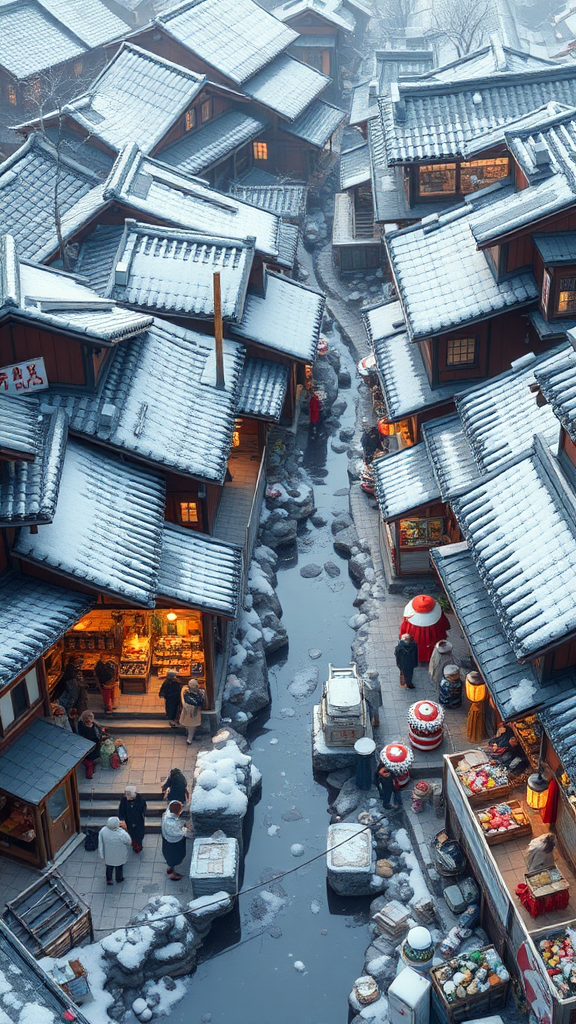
450, 454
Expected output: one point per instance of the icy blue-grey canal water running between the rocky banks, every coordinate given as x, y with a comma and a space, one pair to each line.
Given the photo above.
252, 978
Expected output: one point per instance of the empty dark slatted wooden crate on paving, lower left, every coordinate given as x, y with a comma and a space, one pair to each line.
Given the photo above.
50, 918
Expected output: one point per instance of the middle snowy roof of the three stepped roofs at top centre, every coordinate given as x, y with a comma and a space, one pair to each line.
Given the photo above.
286, 87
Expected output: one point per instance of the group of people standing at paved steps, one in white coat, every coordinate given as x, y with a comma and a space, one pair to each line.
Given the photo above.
128, 829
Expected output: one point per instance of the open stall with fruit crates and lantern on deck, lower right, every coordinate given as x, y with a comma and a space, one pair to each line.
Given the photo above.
528, 902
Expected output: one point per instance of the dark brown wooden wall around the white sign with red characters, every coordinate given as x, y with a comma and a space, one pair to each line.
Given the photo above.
63, 357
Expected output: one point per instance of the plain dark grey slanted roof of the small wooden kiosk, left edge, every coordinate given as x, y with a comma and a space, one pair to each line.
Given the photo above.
39, 760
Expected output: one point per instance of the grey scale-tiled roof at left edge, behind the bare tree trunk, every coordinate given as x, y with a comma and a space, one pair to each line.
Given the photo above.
27, 192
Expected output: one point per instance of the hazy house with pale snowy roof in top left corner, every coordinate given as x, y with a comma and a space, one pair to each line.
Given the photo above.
50, 49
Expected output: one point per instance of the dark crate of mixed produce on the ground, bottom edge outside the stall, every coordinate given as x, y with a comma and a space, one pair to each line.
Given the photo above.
473, 985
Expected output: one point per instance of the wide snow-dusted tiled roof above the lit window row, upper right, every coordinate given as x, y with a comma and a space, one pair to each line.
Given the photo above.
437, 120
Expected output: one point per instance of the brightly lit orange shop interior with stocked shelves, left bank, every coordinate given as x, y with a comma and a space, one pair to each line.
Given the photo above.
135, 650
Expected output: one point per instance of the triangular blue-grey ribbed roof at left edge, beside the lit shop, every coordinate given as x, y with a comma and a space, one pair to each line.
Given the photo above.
33, 616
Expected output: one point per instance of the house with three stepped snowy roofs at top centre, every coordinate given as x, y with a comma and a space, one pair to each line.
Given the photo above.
243, 49
